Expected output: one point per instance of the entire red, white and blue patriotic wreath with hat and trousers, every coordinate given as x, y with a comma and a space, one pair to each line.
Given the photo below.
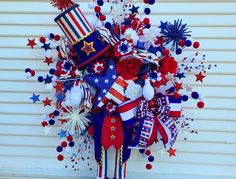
116, 81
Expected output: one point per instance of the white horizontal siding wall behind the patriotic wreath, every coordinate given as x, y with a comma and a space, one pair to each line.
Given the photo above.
26, 153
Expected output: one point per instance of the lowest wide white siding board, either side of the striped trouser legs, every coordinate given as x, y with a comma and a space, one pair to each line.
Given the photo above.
160, 168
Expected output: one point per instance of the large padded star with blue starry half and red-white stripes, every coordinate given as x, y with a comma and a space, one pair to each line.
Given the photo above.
110, 86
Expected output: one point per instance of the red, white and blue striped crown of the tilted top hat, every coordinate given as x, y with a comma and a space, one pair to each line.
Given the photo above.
74, 24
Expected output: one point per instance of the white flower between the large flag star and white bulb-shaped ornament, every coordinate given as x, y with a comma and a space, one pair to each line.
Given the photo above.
133, 91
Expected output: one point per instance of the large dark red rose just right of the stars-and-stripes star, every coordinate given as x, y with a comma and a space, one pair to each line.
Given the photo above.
128, 68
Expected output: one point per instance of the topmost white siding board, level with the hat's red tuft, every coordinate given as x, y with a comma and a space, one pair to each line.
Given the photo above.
38, 7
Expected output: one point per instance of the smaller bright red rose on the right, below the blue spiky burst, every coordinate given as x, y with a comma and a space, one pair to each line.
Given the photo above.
168, 64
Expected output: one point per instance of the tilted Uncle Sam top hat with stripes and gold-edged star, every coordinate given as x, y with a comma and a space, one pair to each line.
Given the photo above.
85, 40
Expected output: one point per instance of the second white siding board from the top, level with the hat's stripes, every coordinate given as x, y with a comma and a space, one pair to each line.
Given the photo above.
193, 20
